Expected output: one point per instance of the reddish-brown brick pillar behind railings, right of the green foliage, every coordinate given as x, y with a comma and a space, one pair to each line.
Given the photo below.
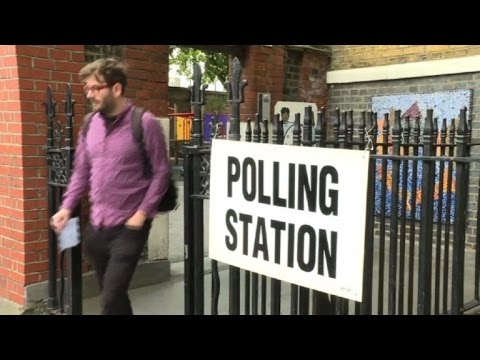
263, 67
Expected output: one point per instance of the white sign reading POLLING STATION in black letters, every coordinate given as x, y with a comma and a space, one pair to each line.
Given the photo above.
296, 214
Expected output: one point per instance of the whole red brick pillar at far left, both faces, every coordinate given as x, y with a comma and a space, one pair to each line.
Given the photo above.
26, 71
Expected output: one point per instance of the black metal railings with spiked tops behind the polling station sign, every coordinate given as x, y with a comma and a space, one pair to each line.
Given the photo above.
413, 264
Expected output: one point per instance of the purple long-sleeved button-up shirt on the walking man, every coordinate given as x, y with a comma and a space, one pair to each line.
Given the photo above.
109, 163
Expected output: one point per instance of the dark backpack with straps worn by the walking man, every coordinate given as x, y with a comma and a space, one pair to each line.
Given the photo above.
169, 200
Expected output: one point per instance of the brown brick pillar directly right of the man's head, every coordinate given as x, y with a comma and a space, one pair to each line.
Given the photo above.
148, 77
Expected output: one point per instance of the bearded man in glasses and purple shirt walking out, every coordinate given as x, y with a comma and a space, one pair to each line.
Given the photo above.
123, 197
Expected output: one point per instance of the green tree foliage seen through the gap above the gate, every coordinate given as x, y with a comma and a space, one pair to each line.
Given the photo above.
216, 64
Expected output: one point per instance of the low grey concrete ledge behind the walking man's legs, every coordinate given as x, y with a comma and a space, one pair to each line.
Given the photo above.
148, 273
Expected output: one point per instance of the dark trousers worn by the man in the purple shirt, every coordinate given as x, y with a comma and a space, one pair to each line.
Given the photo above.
115, 253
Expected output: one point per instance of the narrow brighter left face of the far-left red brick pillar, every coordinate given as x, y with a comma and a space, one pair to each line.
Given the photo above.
11, 181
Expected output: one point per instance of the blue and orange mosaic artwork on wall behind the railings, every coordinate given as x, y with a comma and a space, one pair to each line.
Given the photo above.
445, 104
